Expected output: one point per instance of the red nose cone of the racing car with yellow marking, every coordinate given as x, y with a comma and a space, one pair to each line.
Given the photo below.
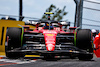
50, 39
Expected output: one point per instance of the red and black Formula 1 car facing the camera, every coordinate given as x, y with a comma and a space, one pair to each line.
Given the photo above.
50, 39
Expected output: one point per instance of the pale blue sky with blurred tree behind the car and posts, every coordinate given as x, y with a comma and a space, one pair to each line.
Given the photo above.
63, 9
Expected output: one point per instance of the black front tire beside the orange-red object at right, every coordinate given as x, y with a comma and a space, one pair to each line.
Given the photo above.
84, 40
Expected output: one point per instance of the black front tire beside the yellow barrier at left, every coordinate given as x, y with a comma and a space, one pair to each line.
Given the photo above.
14, 38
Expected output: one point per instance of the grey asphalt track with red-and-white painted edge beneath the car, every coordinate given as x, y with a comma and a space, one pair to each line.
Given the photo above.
95, 62
